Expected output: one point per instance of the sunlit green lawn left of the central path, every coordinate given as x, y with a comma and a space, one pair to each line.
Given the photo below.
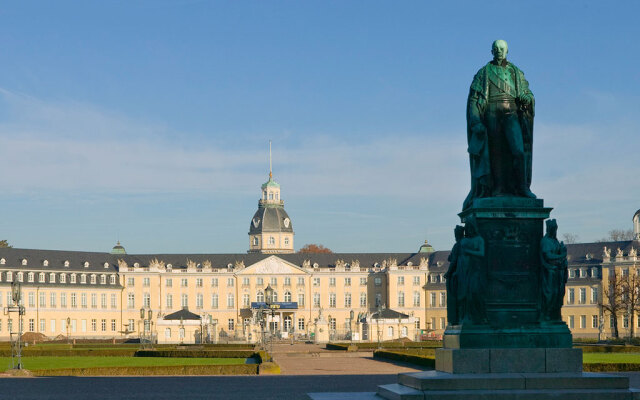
87, 362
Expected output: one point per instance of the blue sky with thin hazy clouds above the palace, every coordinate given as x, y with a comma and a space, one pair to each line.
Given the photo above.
149, 121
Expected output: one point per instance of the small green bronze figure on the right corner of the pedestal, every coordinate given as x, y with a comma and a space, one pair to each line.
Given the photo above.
553, 255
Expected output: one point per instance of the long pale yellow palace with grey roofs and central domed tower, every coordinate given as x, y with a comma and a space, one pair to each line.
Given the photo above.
176, 298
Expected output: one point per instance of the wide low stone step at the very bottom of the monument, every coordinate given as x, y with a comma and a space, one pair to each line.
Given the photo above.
438, 385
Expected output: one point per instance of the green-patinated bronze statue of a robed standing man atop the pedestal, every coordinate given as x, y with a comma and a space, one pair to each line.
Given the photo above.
500, 110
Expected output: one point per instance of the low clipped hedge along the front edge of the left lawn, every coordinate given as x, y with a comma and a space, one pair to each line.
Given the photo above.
241, 369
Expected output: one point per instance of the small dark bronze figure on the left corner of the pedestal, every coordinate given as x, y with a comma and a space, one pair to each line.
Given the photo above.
471, 275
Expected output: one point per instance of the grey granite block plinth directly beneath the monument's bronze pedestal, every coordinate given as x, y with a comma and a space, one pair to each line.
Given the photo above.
504, 360
